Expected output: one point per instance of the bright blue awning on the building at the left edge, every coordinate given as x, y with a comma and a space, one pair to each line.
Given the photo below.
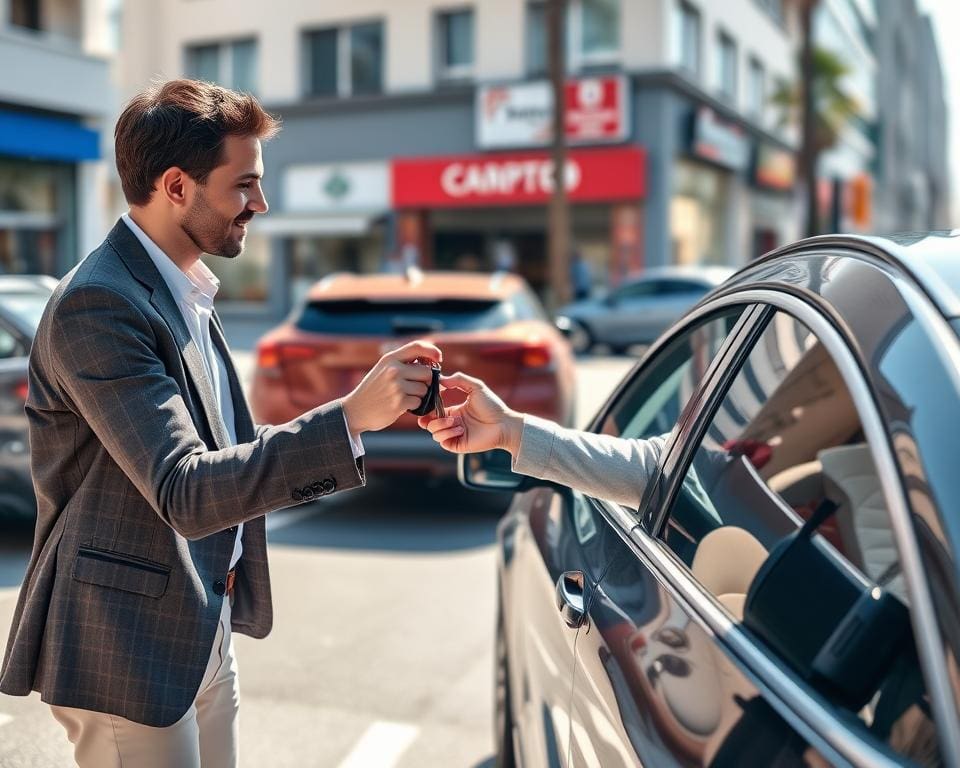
47, 138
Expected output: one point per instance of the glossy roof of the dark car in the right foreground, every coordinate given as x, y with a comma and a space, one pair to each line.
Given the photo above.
930, 259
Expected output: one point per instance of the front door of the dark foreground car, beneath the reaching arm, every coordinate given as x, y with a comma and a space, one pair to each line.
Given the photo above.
554, 548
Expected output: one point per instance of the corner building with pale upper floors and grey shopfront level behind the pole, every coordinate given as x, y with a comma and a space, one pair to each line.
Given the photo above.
418, 131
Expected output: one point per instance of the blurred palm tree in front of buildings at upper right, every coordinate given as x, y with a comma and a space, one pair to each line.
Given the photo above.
831, 110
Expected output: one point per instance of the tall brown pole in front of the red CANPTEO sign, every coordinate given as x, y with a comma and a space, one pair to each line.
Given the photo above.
559, 215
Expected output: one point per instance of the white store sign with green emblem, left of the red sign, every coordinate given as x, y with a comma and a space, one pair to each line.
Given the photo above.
329, 187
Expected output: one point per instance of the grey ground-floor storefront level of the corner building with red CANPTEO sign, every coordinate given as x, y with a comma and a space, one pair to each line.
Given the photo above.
658, 173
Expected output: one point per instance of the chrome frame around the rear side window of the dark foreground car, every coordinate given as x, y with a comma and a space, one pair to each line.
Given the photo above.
679, 454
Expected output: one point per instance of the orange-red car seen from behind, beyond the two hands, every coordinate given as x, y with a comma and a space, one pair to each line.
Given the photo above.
488, 325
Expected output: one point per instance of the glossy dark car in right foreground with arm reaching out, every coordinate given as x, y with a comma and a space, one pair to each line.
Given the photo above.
786, 592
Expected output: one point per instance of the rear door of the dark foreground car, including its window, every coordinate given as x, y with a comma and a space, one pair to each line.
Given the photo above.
730, 648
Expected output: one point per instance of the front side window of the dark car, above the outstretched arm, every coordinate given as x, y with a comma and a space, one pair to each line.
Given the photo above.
651, 404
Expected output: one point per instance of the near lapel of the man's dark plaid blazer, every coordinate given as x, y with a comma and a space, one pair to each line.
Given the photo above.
141, 266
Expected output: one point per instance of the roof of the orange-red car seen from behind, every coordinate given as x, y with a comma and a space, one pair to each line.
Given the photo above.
415, 284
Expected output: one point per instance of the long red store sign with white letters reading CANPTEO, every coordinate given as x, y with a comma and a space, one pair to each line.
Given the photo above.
591, 175
